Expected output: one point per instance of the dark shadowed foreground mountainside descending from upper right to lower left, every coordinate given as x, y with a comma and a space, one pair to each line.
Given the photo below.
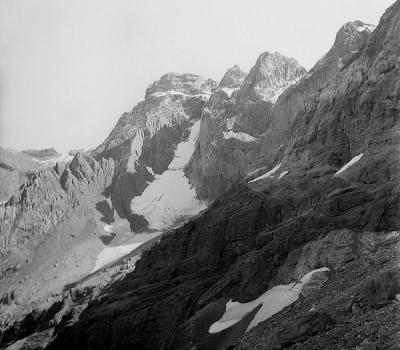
331, 200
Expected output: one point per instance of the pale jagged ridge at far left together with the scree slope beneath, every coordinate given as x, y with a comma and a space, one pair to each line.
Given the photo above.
46, 229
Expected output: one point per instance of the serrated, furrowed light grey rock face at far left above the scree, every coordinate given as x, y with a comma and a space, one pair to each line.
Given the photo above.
48, 197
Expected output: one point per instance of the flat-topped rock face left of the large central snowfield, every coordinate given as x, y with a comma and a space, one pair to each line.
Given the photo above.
143, 141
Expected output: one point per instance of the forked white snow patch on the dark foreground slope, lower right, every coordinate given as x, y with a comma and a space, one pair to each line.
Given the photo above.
272, 301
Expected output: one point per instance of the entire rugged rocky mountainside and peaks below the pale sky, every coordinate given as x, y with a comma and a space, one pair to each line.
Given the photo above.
260, 212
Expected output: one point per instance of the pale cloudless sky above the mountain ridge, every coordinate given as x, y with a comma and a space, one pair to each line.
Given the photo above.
70, 68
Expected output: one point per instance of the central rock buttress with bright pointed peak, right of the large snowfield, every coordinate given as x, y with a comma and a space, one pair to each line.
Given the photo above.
233, 120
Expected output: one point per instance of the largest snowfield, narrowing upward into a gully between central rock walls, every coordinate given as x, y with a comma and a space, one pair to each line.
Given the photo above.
170, 196
